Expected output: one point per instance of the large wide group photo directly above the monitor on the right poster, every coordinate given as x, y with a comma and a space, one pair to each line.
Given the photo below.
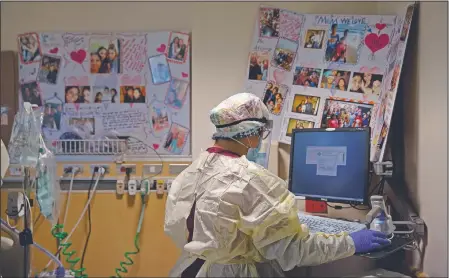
339, 114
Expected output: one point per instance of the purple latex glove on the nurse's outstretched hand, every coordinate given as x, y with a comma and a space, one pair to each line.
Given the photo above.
366, 241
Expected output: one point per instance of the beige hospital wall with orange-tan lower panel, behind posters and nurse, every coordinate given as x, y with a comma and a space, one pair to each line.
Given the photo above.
221, 35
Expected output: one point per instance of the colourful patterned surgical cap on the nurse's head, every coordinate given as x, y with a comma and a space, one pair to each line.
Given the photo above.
239, 109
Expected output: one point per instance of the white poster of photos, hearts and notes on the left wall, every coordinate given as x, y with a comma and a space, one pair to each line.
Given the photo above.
92, 85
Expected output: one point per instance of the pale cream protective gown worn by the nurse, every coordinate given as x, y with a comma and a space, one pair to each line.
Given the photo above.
245, 224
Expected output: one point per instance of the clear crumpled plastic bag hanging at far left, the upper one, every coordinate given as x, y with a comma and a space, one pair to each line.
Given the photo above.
23, 147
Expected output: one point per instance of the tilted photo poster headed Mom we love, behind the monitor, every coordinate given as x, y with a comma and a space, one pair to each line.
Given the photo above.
322, 70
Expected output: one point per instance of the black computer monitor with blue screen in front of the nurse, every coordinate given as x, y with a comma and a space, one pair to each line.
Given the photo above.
329, 164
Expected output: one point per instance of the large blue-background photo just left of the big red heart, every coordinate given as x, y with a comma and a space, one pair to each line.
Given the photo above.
343, 43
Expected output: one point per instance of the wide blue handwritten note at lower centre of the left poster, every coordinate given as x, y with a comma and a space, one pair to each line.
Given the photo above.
123, 120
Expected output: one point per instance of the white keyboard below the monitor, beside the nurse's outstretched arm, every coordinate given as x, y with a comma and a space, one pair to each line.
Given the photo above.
318, 224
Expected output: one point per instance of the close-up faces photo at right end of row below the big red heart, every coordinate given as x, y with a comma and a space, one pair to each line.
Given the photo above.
366, 83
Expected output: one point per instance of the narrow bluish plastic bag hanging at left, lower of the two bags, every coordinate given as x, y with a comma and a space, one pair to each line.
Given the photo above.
48, 188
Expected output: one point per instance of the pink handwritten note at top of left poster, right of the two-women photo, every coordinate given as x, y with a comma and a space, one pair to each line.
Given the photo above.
134, 54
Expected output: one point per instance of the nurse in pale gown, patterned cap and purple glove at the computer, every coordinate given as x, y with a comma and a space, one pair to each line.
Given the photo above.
233, 218
